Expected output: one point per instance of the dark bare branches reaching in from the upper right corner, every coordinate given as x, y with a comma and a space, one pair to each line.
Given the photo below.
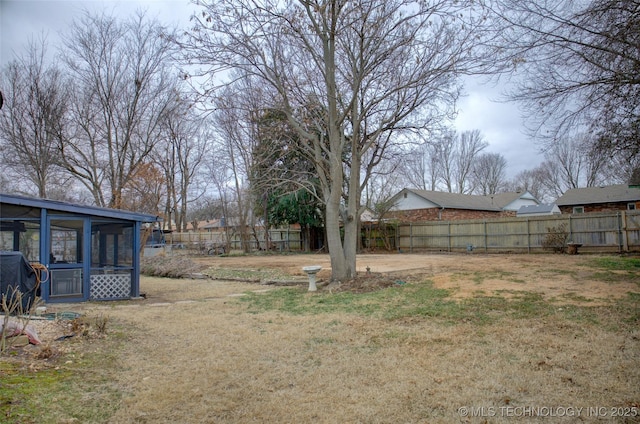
579, 62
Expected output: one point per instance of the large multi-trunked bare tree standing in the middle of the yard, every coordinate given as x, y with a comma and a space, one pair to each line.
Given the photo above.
374, 68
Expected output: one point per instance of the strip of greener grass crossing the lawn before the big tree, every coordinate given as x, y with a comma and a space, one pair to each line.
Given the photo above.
423, 301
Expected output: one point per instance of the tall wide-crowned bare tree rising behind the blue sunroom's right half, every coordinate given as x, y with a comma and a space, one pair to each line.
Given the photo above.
123, 85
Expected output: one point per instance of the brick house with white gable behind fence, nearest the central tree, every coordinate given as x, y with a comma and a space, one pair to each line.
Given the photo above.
423, 205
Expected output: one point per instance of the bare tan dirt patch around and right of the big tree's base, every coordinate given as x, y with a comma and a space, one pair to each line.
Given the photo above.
564, 278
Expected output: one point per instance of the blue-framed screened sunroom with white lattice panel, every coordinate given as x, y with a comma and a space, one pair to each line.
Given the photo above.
90, 253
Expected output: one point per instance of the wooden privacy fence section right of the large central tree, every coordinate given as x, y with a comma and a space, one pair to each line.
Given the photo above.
596, 232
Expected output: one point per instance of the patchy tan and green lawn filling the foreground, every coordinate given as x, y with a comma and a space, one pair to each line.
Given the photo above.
406, 353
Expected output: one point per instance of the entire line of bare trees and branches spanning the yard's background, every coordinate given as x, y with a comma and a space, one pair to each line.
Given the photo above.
311, 111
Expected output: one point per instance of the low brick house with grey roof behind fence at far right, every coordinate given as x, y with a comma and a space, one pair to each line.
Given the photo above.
600, 199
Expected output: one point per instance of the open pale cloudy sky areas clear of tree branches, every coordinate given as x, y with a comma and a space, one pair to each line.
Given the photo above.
500, 123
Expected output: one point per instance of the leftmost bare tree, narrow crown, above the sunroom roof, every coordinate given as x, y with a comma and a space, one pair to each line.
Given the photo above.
35, 103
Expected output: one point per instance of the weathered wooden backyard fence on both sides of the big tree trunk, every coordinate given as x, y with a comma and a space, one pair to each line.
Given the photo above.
596, 232
